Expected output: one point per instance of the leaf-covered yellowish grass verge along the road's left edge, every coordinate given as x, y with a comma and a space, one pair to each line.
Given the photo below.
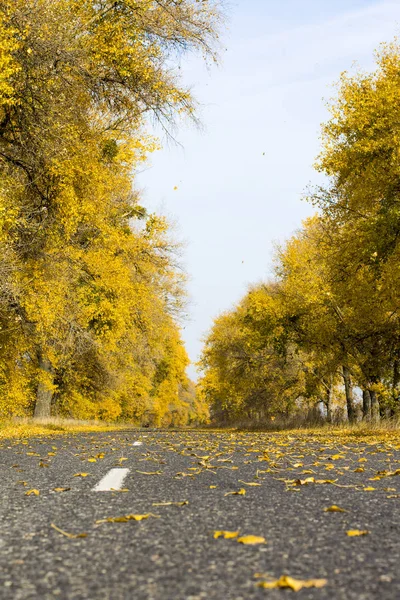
28, 427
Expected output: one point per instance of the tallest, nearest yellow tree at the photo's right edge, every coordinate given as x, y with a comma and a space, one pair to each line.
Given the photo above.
360, 149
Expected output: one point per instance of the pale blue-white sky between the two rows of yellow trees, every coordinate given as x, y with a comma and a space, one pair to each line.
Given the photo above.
242, 176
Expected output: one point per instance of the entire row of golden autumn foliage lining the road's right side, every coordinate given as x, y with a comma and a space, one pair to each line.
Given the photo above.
326, 331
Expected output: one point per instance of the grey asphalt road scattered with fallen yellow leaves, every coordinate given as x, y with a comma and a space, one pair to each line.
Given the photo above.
174, 555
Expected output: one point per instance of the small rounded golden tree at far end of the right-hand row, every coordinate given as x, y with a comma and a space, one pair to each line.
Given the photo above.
249, 370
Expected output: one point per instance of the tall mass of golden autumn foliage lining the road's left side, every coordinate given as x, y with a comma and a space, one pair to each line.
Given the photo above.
90, 285
